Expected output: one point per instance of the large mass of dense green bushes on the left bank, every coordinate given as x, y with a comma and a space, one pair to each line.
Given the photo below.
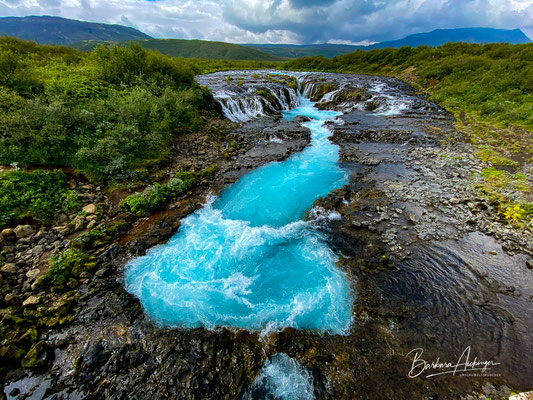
109, 113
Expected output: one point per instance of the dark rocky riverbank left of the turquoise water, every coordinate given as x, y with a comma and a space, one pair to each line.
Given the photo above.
76, 334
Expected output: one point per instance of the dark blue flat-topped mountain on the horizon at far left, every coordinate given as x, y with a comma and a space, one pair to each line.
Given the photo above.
56, 30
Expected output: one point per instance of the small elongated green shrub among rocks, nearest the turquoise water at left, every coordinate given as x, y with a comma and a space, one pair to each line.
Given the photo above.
157, 195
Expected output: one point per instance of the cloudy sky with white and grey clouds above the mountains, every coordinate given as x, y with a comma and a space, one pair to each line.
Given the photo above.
286, 21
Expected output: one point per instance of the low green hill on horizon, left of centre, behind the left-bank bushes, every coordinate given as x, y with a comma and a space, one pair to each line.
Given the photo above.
194, 49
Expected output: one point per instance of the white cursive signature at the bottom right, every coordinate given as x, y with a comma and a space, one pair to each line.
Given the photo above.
462, 365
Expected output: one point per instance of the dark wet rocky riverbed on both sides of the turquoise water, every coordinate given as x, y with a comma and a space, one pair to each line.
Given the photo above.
432, 264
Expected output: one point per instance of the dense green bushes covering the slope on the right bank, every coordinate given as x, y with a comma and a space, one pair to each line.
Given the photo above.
494, 81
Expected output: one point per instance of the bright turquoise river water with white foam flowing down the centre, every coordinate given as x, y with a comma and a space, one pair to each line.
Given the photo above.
248, 259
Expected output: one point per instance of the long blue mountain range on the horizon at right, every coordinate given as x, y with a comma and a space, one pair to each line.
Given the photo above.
435, 38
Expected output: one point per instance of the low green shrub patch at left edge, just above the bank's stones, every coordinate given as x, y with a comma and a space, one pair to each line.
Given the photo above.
39, 194
